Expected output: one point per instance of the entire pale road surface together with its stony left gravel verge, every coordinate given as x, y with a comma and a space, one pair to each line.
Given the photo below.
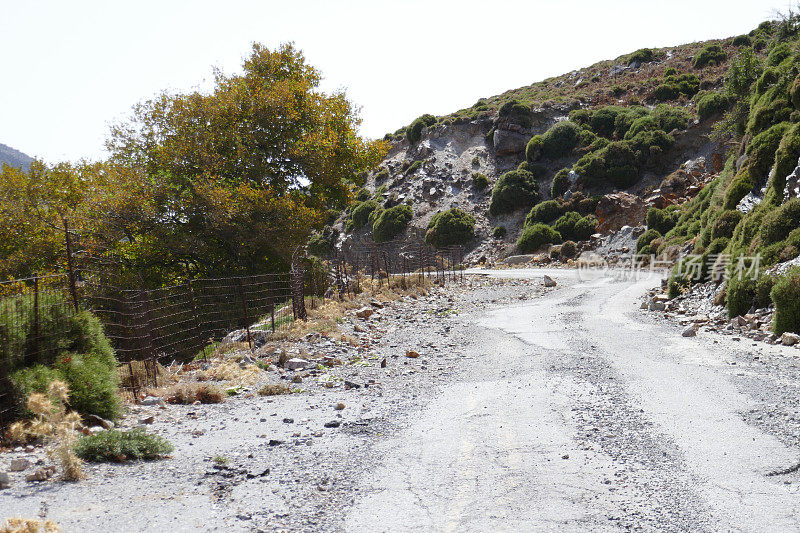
529, 409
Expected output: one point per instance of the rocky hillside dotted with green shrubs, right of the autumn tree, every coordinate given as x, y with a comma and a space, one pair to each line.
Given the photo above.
697, 144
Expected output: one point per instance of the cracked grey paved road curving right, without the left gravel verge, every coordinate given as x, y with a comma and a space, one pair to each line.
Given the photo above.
583, 414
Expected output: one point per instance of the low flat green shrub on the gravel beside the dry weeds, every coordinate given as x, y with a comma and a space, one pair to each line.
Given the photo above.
119, 446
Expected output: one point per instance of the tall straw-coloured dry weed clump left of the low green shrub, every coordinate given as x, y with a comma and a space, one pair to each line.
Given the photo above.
54, 425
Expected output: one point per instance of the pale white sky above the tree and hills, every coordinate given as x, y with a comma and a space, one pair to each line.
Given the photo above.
69, 68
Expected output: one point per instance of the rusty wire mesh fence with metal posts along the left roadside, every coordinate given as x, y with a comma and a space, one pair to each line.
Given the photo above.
41, 317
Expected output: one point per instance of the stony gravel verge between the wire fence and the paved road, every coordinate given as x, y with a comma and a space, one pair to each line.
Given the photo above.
288, 462
